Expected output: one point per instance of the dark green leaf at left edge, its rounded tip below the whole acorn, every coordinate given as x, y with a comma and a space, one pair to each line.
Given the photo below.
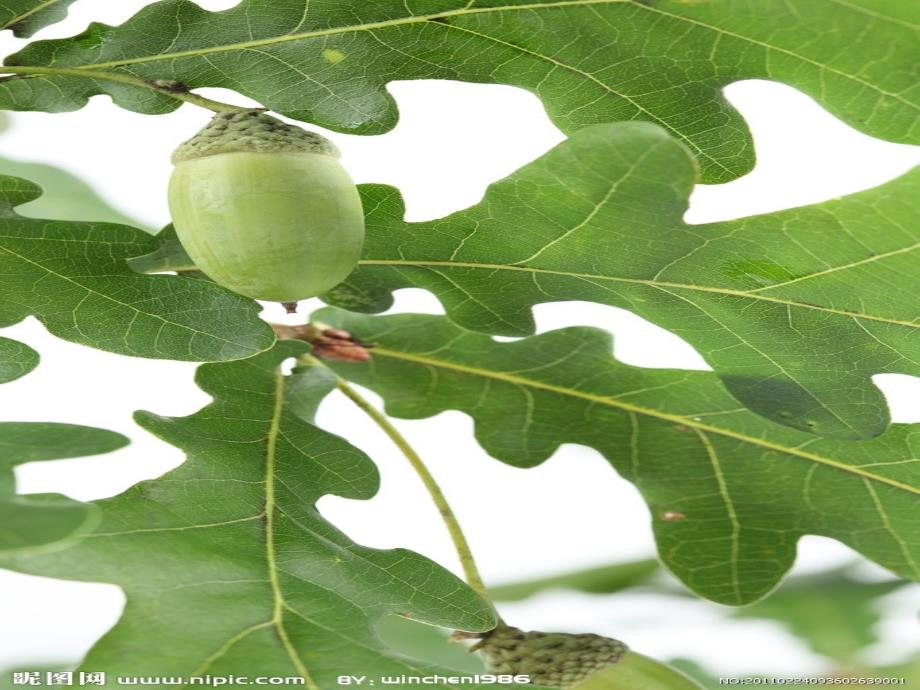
74, 277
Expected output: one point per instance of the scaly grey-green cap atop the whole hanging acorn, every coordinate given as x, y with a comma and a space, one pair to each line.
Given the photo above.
251, 131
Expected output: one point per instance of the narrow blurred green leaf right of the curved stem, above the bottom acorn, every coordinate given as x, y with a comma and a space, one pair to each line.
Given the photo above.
600, 580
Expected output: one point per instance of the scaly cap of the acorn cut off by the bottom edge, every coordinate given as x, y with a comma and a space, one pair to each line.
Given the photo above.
556, 660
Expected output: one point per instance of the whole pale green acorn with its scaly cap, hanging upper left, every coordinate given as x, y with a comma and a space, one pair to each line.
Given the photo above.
265, 208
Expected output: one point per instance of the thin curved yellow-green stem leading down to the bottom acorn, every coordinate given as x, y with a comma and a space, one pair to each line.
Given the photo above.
462, 546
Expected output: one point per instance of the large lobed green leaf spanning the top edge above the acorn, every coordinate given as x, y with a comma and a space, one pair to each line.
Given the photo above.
590, 61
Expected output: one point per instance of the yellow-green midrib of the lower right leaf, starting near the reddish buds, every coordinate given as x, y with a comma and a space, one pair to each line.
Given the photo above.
688, 422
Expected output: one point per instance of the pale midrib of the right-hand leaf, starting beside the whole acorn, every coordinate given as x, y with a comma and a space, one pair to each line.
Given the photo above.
426, 263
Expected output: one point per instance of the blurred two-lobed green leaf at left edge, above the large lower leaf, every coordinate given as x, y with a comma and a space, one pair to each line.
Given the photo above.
43, 520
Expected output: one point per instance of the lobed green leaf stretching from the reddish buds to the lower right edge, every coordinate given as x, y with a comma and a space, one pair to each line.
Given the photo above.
729, 491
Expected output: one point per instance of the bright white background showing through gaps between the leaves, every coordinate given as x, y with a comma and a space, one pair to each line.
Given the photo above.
573, 511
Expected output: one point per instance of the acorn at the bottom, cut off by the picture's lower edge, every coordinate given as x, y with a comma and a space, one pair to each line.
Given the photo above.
577, 662
